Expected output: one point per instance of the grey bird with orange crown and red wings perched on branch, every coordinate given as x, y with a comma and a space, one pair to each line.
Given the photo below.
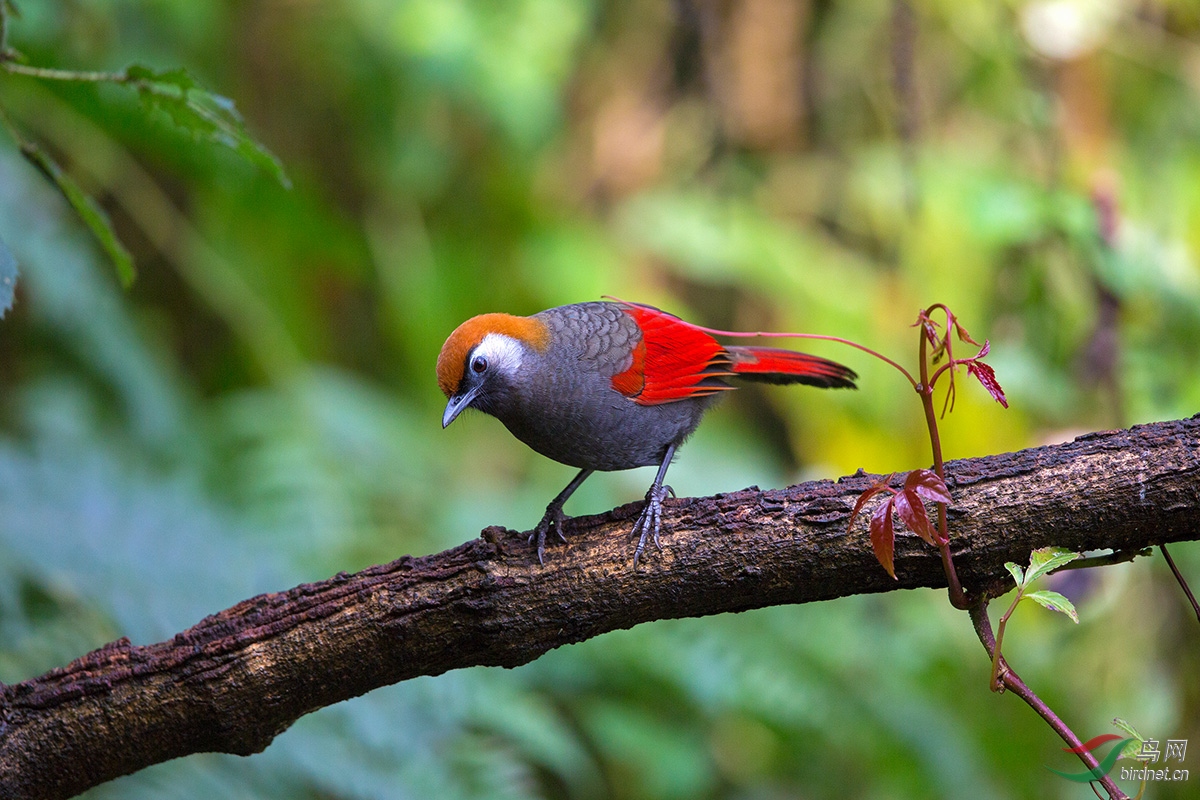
607, 386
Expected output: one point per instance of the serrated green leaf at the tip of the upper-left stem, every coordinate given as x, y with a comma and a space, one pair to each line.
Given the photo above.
203, 115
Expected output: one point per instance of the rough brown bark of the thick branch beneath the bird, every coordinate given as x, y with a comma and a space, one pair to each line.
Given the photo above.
237, 679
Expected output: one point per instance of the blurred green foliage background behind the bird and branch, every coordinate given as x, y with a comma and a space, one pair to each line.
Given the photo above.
260, 408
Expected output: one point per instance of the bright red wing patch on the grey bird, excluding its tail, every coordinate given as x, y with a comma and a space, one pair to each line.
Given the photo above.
675, 360
